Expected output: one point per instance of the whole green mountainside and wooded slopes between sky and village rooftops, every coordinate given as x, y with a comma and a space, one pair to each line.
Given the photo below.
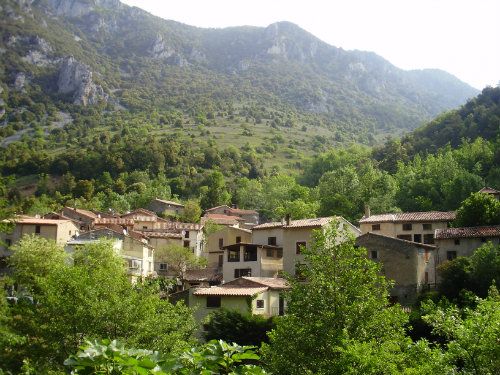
108, 107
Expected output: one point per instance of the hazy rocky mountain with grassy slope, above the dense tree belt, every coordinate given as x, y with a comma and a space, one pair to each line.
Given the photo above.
64, 59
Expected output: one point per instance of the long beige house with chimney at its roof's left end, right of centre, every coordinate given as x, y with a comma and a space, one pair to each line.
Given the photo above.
410, 226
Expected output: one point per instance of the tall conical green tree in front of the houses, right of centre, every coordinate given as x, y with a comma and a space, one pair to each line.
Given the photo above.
342, 304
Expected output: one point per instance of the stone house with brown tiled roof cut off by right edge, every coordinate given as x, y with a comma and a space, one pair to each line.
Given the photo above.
463, 242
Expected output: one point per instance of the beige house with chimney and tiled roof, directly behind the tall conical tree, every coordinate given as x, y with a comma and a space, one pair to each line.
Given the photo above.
289, 236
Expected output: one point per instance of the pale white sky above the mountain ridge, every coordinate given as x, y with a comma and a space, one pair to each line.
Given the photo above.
461, 37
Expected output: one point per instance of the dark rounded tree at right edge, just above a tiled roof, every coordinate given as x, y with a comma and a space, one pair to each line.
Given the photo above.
477, 210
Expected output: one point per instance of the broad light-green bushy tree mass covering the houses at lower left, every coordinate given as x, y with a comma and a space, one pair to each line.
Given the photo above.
88, 295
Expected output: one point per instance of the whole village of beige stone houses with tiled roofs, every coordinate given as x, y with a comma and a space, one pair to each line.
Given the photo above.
245, 260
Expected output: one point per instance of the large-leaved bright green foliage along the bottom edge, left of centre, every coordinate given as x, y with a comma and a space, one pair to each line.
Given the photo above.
214, 358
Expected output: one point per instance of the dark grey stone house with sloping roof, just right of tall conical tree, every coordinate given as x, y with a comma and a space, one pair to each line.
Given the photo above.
411, 265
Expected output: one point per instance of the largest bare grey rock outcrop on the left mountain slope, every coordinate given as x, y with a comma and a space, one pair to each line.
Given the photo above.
75, 77
